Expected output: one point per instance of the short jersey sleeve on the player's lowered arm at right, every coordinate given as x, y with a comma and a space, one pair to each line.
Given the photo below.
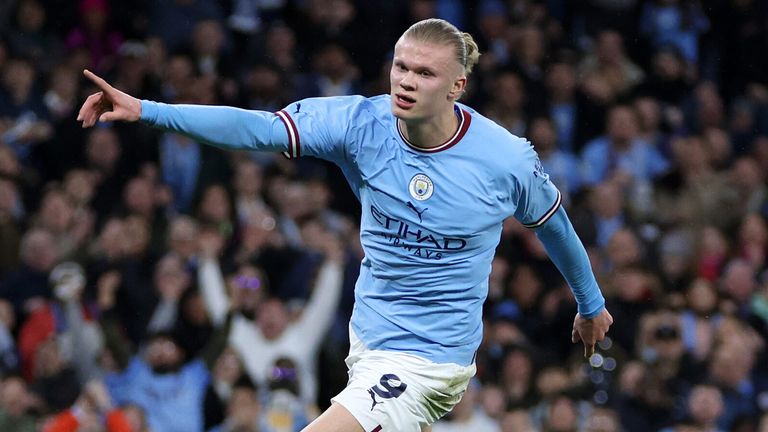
537, 198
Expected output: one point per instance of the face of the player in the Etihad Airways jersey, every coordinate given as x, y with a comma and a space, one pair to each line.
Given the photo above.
425, 79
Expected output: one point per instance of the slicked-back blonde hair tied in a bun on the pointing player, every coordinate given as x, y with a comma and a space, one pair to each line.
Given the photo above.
440, 31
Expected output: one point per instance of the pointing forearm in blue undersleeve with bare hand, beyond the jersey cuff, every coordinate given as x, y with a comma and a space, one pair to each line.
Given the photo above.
225, 127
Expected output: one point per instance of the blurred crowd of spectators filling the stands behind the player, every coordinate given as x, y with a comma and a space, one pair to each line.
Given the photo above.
152, 283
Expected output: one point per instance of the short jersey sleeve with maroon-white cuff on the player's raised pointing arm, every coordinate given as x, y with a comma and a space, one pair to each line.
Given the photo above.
319, 126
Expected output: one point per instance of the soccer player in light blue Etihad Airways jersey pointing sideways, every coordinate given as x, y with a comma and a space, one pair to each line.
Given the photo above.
435, 180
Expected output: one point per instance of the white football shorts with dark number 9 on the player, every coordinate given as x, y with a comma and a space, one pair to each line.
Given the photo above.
390, 391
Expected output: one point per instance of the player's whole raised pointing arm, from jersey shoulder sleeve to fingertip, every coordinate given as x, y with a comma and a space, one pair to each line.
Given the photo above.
315, 127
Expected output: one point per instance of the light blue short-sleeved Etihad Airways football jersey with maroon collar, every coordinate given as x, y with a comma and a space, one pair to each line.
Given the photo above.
431, 218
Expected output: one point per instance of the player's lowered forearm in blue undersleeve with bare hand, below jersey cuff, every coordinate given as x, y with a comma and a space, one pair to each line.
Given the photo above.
567, 252
